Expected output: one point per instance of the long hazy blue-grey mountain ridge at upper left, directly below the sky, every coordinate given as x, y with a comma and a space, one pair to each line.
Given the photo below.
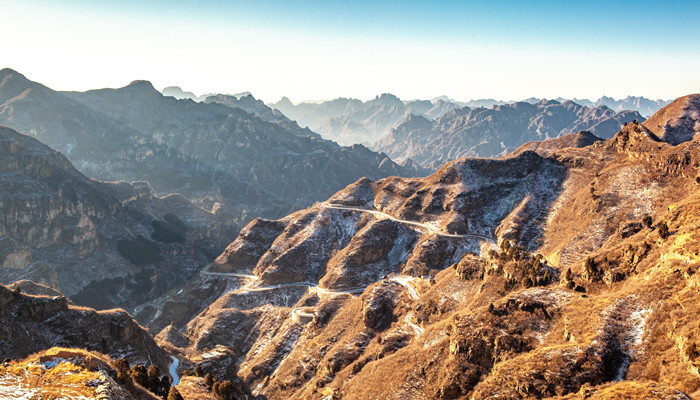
209, 153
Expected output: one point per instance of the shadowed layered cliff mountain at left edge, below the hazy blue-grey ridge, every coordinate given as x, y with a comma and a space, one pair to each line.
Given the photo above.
103, 244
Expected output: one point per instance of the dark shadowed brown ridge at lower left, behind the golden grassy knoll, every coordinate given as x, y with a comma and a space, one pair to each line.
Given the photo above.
33, 323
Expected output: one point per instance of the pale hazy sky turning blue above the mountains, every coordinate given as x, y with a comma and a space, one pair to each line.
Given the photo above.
325, 49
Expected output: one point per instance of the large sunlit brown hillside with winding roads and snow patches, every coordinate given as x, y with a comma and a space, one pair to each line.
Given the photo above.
565, 270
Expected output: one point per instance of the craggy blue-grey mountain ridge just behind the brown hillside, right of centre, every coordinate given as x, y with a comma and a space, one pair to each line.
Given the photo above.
482, 132
